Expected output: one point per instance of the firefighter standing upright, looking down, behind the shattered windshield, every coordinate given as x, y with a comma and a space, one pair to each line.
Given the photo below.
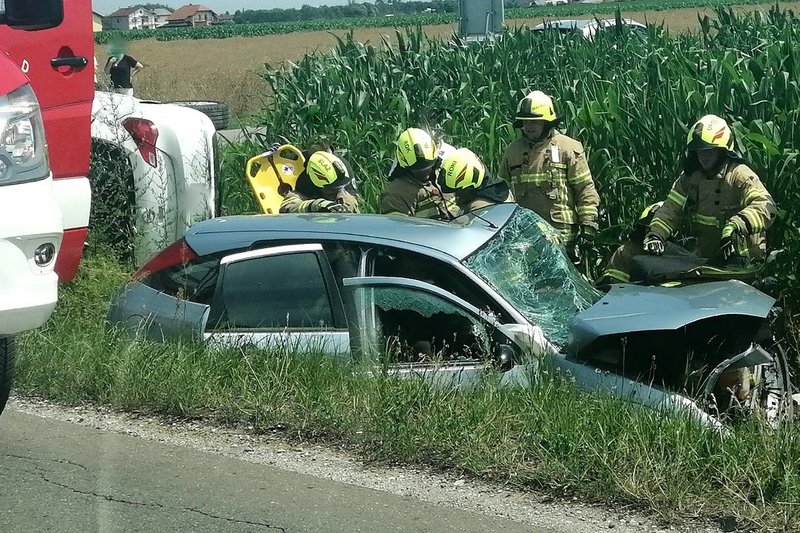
549, 174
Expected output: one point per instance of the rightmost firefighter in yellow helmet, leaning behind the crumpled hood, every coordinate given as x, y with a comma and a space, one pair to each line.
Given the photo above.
717, 199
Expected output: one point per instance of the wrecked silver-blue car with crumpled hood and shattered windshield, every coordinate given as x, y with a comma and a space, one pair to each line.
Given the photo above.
491, 291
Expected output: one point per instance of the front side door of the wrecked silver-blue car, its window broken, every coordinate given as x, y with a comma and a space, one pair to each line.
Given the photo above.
411, 327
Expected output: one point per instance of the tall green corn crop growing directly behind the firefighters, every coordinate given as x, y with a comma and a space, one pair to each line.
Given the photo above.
629, 99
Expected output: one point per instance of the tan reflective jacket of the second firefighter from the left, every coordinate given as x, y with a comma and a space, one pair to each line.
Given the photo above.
406, 196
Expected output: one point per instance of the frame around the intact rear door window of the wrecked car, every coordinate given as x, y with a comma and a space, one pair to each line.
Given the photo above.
334, 297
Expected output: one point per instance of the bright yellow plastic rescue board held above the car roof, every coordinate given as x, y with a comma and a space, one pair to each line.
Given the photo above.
273, 174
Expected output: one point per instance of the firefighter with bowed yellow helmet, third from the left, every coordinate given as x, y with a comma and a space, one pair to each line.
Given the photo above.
463, 175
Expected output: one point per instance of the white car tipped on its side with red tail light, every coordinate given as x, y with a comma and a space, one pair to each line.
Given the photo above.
166, 153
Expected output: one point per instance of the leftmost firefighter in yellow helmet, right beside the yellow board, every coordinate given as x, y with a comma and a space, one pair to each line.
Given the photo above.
320, 188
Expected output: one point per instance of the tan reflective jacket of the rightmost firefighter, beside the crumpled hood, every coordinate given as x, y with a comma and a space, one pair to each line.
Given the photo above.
701, 205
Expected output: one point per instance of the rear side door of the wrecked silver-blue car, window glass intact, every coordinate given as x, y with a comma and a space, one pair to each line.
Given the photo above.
279, 298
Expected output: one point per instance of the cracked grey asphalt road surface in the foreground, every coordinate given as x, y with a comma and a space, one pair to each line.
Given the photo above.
59, 476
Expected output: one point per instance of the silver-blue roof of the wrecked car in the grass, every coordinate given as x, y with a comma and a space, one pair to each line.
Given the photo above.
458, 238
